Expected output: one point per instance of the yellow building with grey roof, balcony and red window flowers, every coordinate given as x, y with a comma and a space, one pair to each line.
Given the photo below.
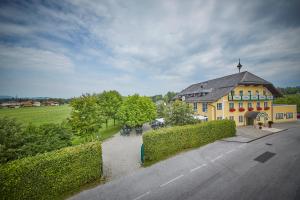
243, 97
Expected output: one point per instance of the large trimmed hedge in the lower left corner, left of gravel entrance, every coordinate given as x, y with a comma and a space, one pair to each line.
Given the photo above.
50, 175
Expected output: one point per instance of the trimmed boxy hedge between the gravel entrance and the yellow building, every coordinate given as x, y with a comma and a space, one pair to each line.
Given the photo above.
159, 144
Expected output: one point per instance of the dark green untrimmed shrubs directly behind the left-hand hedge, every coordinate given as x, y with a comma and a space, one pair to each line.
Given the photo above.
17, 141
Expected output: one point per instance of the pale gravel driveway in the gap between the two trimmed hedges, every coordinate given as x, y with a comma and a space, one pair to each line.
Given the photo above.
121, 155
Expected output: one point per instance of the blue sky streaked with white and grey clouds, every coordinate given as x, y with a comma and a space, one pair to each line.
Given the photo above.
70, 47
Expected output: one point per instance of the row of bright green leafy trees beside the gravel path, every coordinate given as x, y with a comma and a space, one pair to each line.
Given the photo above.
91, 111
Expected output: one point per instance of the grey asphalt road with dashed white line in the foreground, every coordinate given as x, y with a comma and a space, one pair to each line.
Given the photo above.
221, 170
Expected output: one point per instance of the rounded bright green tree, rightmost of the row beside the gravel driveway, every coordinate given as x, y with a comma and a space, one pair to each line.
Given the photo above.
136, 110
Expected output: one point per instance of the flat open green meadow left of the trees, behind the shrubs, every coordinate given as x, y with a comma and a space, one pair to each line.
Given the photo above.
38, 115
